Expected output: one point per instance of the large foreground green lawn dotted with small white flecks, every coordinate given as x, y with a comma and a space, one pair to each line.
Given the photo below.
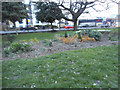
75, 69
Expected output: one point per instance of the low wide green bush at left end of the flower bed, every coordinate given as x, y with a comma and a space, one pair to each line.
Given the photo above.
16, 48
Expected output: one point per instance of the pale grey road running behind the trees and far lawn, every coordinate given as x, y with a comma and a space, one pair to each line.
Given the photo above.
43, 30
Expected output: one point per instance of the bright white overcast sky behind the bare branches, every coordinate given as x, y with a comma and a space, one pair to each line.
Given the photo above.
111, 12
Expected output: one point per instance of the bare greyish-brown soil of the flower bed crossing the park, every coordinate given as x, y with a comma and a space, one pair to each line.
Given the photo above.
42, 50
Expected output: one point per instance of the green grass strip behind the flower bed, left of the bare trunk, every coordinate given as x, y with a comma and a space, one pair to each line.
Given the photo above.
28, 36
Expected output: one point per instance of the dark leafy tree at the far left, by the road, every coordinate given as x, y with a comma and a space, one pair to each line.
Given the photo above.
13, 11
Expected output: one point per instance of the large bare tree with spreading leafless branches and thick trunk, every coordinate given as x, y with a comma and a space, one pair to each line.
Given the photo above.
78, 7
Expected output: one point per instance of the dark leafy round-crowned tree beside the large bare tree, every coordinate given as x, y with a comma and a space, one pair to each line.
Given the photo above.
48, 12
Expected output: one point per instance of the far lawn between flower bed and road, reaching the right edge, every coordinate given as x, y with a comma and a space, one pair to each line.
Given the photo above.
44, 35
